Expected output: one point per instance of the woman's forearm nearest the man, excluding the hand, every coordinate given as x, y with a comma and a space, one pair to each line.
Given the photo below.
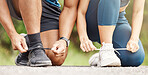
81, 19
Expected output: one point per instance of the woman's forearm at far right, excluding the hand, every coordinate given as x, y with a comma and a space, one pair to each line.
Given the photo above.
137, 19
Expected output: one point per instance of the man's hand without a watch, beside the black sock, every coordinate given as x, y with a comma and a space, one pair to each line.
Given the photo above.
19, 43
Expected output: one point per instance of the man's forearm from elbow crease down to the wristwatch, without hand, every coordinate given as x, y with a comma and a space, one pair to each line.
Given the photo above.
67, 21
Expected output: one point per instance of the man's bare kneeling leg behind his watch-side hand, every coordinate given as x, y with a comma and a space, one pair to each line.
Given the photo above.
48, 39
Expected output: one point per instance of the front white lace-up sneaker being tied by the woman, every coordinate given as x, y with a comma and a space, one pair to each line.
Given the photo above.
107, 56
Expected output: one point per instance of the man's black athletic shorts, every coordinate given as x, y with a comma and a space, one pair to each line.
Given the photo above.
49, 18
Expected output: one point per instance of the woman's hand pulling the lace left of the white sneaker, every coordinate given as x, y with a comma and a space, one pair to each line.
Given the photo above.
87, 45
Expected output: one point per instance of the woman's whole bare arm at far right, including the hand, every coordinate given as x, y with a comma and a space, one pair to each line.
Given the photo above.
137, 19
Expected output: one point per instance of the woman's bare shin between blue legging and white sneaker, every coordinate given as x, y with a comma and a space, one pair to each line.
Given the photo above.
106, 33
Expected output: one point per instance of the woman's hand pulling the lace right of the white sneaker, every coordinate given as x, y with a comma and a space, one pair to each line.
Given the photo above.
132, 45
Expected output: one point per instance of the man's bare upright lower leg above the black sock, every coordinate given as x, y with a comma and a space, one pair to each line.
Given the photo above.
30, 11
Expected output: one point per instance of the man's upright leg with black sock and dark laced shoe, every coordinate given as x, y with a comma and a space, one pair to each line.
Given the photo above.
31, 11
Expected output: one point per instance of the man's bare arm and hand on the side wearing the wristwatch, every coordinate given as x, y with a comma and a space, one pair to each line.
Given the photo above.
66, 22
